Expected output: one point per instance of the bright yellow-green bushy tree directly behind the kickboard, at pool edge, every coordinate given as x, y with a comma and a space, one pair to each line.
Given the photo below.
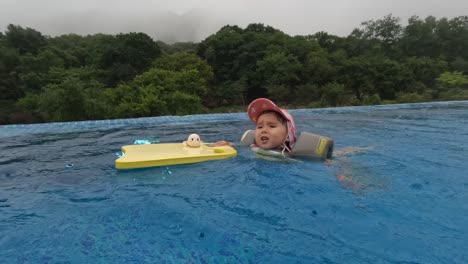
158, 92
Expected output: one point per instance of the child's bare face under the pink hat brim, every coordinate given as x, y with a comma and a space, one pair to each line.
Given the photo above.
270, 132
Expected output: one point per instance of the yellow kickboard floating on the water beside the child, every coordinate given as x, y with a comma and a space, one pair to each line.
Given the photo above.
152, 155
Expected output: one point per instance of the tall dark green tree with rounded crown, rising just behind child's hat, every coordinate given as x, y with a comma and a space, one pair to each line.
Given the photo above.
233, 54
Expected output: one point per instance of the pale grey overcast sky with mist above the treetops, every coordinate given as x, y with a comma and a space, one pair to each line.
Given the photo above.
194, 20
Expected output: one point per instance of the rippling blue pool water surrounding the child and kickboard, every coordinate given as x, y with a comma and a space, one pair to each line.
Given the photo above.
396, 192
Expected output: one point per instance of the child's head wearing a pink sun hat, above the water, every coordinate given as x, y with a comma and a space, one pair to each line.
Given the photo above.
274, 126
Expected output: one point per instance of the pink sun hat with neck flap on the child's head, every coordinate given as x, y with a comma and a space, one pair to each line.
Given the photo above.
260, 105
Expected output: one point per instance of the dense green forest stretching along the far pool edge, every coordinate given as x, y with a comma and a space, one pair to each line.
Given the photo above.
72, 77
